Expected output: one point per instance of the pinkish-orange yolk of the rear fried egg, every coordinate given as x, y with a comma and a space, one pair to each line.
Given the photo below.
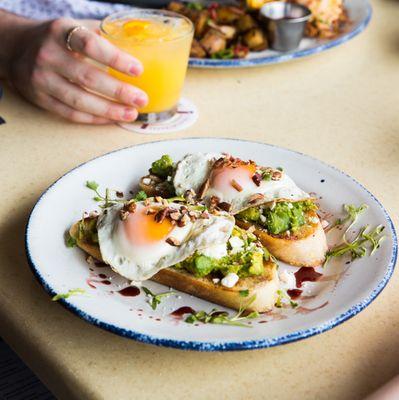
224, 179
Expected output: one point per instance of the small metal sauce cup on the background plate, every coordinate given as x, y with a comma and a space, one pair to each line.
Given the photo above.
285, 24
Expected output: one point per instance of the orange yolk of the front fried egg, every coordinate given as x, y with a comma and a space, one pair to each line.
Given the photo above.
142, 229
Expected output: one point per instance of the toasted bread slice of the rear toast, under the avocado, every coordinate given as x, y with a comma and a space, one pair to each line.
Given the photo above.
306, 249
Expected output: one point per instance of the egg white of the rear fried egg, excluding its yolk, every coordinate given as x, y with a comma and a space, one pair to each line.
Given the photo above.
193, 170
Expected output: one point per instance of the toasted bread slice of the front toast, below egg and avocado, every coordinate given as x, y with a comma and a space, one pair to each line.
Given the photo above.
264, 287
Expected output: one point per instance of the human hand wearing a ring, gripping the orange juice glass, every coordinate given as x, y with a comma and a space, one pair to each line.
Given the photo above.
44, 71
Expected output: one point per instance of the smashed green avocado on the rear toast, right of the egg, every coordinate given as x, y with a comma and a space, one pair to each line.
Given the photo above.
284, 216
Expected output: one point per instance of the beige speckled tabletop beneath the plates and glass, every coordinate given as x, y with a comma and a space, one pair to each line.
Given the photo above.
340, 106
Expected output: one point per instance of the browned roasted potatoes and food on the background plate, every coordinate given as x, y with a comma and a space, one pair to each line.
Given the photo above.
232, 31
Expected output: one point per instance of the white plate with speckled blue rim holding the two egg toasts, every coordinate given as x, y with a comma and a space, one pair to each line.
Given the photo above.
344, 291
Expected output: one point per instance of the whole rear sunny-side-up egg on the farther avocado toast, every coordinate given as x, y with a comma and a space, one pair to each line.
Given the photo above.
240, 184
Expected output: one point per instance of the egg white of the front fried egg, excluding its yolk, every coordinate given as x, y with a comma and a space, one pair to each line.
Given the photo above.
140, 262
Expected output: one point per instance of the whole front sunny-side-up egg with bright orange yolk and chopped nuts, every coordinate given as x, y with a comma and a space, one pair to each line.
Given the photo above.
138, 244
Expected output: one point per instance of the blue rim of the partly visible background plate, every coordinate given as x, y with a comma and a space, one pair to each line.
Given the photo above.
284, 57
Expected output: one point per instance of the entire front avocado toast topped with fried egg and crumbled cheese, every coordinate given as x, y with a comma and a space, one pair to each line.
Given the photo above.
184, 247
